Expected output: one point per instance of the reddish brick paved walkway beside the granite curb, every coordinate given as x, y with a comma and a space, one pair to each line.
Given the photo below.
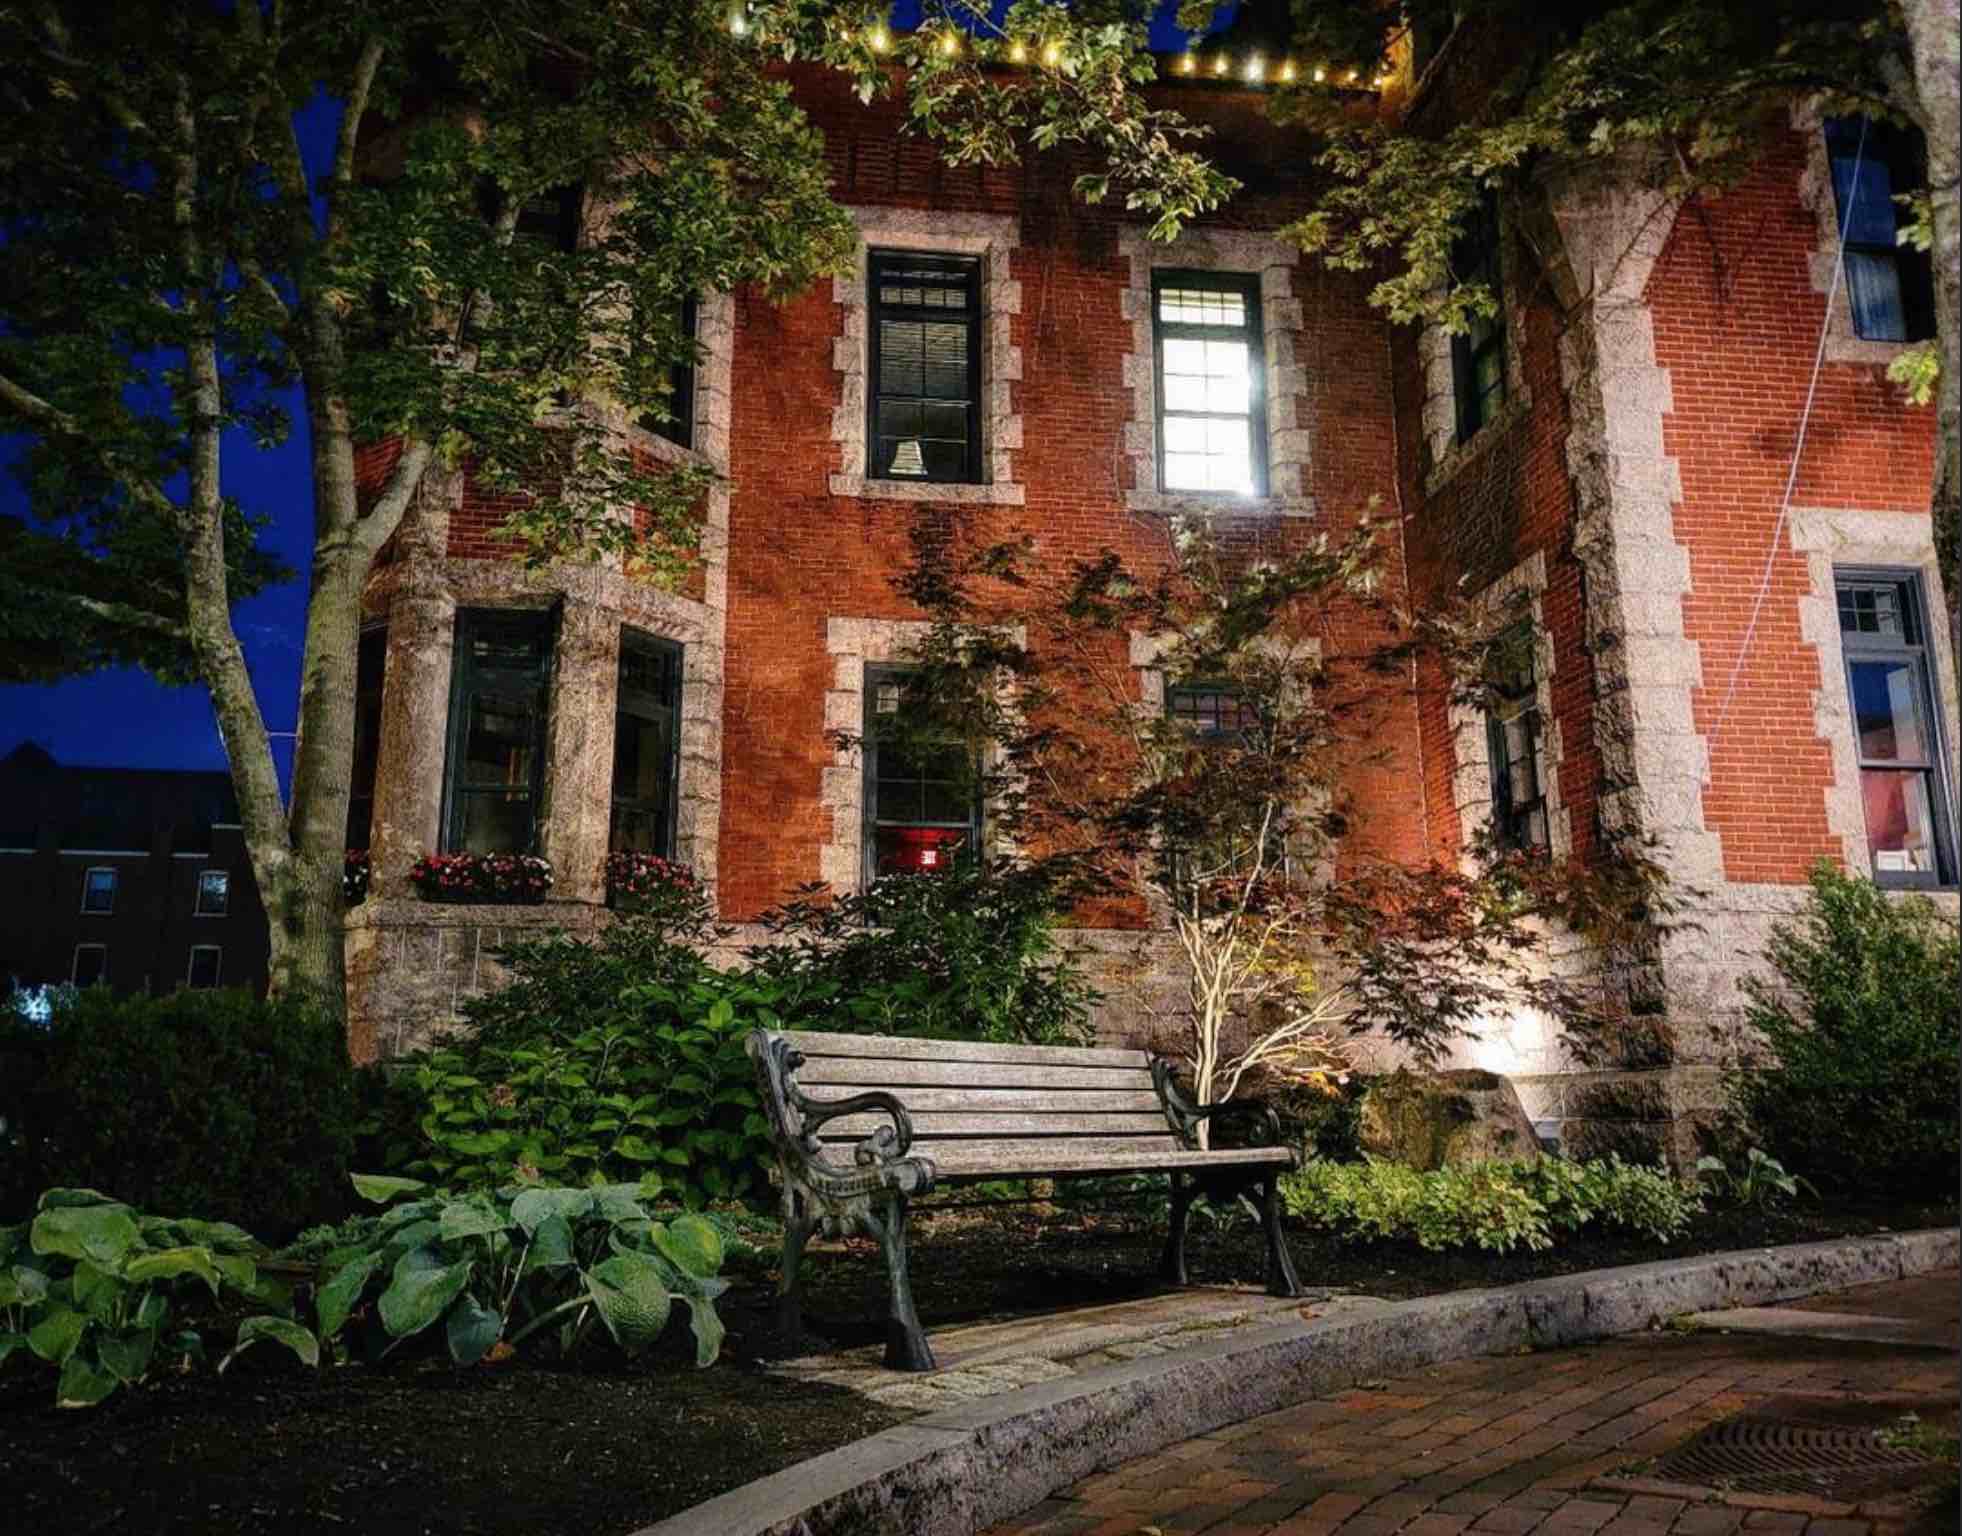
1527, 1445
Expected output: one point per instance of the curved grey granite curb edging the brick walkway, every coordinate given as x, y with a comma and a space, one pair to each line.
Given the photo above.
962, 1470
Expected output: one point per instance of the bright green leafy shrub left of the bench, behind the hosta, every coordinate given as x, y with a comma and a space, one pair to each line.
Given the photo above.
617, 1060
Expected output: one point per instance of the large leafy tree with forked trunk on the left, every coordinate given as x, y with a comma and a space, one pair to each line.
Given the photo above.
174, 270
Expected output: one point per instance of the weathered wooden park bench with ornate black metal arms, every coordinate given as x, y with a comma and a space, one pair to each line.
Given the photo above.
864, 1123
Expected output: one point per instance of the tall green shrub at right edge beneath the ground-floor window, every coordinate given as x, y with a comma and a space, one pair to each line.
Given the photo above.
1863, 1031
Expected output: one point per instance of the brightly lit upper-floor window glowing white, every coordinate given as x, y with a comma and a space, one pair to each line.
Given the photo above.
1212, 431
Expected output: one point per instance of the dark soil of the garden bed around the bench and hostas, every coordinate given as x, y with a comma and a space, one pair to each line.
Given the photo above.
537, 1447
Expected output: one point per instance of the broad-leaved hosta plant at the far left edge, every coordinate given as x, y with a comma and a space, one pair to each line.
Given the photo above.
89, 1288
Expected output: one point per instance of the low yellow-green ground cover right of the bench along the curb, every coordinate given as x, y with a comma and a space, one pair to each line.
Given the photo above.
1494, 1205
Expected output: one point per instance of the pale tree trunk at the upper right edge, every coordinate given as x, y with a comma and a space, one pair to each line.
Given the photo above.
1936, 38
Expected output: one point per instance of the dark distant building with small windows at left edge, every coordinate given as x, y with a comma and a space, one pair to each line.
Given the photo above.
129, 878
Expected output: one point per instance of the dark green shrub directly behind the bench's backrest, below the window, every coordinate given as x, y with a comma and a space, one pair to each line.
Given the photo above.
964, 954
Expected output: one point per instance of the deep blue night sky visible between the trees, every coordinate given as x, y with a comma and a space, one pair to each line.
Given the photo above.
123, 717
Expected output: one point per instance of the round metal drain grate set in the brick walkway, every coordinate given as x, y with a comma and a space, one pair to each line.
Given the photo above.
1763, 1455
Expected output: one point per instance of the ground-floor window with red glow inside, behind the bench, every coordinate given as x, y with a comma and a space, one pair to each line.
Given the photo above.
923, 799
